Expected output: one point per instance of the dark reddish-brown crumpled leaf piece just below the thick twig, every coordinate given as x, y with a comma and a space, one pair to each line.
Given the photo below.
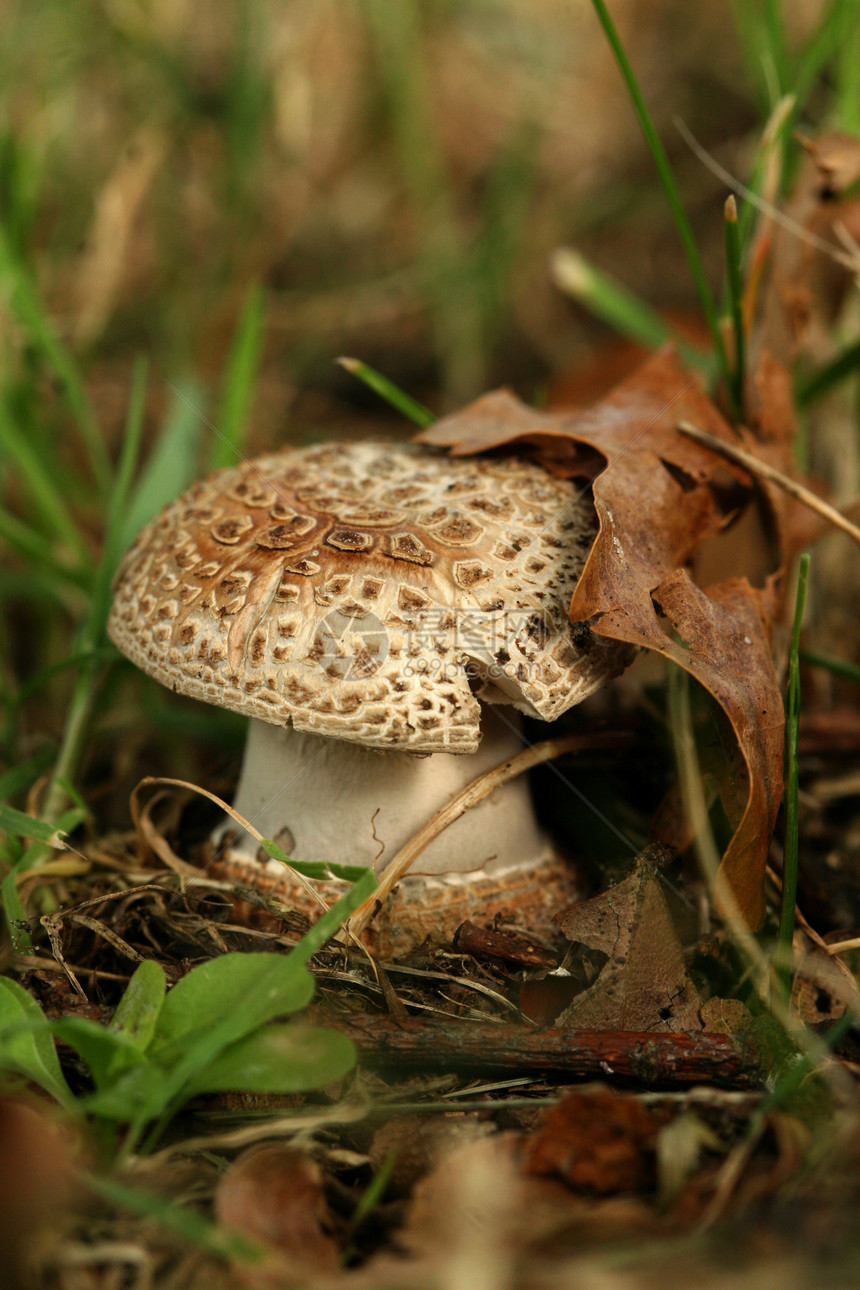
598, 1142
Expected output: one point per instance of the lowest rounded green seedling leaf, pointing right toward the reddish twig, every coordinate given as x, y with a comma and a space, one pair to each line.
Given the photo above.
279, 1060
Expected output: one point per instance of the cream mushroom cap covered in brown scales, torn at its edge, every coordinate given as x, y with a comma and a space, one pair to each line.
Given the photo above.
368, 591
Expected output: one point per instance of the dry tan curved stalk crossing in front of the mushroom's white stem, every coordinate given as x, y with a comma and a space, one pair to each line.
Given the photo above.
471, 797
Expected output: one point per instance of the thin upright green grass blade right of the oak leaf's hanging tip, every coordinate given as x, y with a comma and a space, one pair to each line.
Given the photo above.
791, 846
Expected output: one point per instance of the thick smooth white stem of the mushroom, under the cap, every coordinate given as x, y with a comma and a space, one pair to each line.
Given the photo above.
340, 803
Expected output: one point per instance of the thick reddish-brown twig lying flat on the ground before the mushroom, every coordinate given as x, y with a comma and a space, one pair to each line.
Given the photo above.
645, 1058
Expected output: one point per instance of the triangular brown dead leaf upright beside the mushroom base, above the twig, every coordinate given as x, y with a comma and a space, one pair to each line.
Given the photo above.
644, 985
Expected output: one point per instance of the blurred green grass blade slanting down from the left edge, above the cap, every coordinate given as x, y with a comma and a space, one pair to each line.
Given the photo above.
29, 308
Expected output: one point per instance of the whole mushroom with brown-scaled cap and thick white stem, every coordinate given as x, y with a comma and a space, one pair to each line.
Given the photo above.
368, 606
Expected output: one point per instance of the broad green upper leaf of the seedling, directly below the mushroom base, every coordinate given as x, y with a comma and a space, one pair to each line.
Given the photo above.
225, 999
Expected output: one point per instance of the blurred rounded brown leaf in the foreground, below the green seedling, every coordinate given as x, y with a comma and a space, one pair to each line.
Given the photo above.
274, 1195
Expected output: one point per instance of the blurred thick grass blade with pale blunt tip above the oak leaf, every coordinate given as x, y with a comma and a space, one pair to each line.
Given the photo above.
612, 303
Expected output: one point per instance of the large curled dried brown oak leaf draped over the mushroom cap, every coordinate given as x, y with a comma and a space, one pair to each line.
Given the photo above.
658, 497
